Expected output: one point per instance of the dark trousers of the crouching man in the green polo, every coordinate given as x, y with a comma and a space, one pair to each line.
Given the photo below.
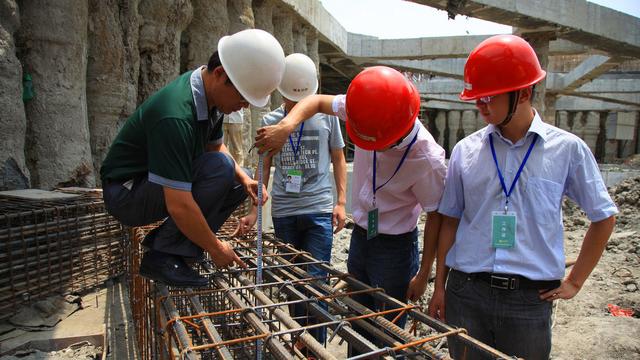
214, 189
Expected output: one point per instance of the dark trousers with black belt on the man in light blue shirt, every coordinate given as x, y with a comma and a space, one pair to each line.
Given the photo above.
515, 322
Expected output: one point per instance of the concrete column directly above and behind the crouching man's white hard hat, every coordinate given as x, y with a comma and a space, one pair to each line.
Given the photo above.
241, 18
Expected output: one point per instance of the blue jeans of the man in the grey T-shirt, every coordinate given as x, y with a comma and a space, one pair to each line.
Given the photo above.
312, 233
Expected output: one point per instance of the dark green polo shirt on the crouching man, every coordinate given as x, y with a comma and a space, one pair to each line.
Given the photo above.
163, 137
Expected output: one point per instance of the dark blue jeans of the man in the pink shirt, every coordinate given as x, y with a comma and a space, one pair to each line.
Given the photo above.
386, 261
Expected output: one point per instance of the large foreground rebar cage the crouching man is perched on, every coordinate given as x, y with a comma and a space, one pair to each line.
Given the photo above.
233, 318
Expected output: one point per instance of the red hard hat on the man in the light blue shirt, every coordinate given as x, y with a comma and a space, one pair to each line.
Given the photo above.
498, 65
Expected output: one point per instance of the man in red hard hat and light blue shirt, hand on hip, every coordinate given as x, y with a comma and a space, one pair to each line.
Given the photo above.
502, 233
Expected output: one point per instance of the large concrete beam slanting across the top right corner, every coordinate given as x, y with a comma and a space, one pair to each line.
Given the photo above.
578, 21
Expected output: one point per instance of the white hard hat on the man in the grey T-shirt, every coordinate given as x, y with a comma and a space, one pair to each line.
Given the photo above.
300, 77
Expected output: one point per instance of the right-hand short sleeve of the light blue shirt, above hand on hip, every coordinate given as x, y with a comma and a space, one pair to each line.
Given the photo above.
586, 187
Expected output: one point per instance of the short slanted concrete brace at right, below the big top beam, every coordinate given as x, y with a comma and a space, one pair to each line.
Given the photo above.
589, 69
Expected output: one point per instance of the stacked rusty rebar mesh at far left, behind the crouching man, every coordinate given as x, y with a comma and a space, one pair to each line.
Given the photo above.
56, 246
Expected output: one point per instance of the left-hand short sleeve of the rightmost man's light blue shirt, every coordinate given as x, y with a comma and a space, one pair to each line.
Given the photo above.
452, 202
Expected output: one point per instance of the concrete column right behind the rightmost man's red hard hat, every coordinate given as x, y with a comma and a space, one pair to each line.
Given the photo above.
539, 40
